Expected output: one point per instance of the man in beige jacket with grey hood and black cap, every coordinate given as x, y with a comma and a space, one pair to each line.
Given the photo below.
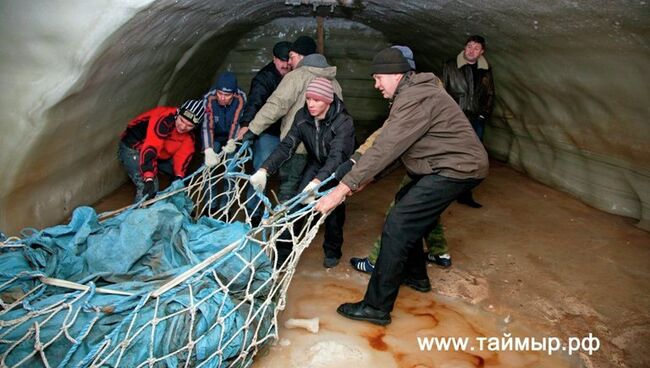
286, 100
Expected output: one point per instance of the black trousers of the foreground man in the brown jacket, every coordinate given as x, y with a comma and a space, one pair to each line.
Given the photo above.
417, 209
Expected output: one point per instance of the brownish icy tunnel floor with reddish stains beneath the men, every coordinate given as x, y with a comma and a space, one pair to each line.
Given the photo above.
532, 262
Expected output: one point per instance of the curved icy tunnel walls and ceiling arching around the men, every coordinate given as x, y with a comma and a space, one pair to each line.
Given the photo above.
570, 77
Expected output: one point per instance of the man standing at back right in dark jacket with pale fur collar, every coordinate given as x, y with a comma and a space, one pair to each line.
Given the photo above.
468, 79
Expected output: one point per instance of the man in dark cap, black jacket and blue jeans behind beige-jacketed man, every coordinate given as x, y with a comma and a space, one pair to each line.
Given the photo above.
262, 86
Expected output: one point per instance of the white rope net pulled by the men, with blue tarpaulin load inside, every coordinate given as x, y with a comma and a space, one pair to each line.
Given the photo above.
182, 280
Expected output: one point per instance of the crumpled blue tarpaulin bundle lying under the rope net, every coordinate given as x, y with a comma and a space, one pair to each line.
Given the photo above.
202, 320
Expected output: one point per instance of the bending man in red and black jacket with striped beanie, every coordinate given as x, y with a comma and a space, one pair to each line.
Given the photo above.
159, 139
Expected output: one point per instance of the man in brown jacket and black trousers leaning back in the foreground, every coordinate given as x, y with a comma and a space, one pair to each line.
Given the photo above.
430, 135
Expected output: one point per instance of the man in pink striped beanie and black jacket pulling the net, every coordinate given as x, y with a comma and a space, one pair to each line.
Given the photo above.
327, 131
